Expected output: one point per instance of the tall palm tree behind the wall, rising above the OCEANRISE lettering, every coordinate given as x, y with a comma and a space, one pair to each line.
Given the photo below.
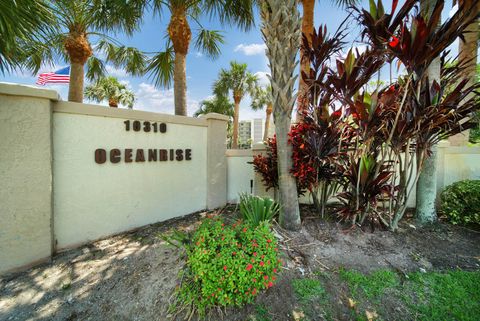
171, 63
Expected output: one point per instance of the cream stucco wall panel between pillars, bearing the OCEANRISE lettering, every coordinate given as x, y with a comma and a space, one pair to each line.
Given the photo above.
95, 200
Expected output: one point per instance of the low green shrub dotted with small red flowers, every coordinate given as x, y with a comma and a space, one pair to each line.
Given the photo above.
228, 265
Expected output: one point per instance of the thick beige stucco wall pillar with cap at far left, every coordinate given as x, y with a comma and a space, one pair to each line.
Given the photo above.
26, 176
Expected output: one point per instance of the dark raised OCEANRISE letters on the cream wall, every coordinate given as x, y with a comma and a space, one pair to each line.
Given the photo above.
129, 155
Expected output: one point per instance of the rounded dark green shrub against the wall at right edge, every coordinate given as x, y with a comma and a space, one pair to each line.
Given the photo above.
460, 202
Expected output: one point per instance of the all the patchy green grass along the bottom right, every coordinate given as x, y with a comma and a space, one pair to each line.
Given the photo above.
451, 295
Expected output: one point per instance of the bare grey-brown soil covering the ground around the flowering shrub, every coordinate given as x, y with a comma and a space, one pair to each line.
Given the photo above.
132, 276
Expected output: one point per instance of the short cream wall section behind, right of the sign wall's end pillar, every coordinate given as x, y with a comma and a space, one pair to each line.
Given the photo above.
240, 173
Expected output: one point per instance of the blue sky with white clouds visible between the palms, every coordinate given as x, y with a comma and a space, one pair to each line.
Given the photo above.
244, 47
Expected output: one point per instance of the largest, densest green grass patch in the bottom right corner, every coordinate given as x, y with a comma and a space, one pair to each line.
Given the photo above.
454, 295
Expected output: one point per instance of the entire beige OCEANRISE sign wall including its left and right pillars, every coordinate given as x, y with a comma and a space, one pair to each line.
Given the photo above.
54, 195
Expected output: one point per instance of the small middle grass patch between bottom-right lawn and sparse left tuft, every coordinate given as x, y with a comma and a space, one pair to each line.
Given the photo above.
372, 285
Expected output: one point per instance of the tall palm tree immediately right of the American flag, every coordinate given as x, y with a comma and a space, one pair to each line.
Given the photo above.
77, 21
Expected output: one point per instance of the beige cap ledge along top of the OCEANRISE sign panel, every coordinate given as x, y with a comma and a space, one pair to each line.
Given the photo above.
105, 111
